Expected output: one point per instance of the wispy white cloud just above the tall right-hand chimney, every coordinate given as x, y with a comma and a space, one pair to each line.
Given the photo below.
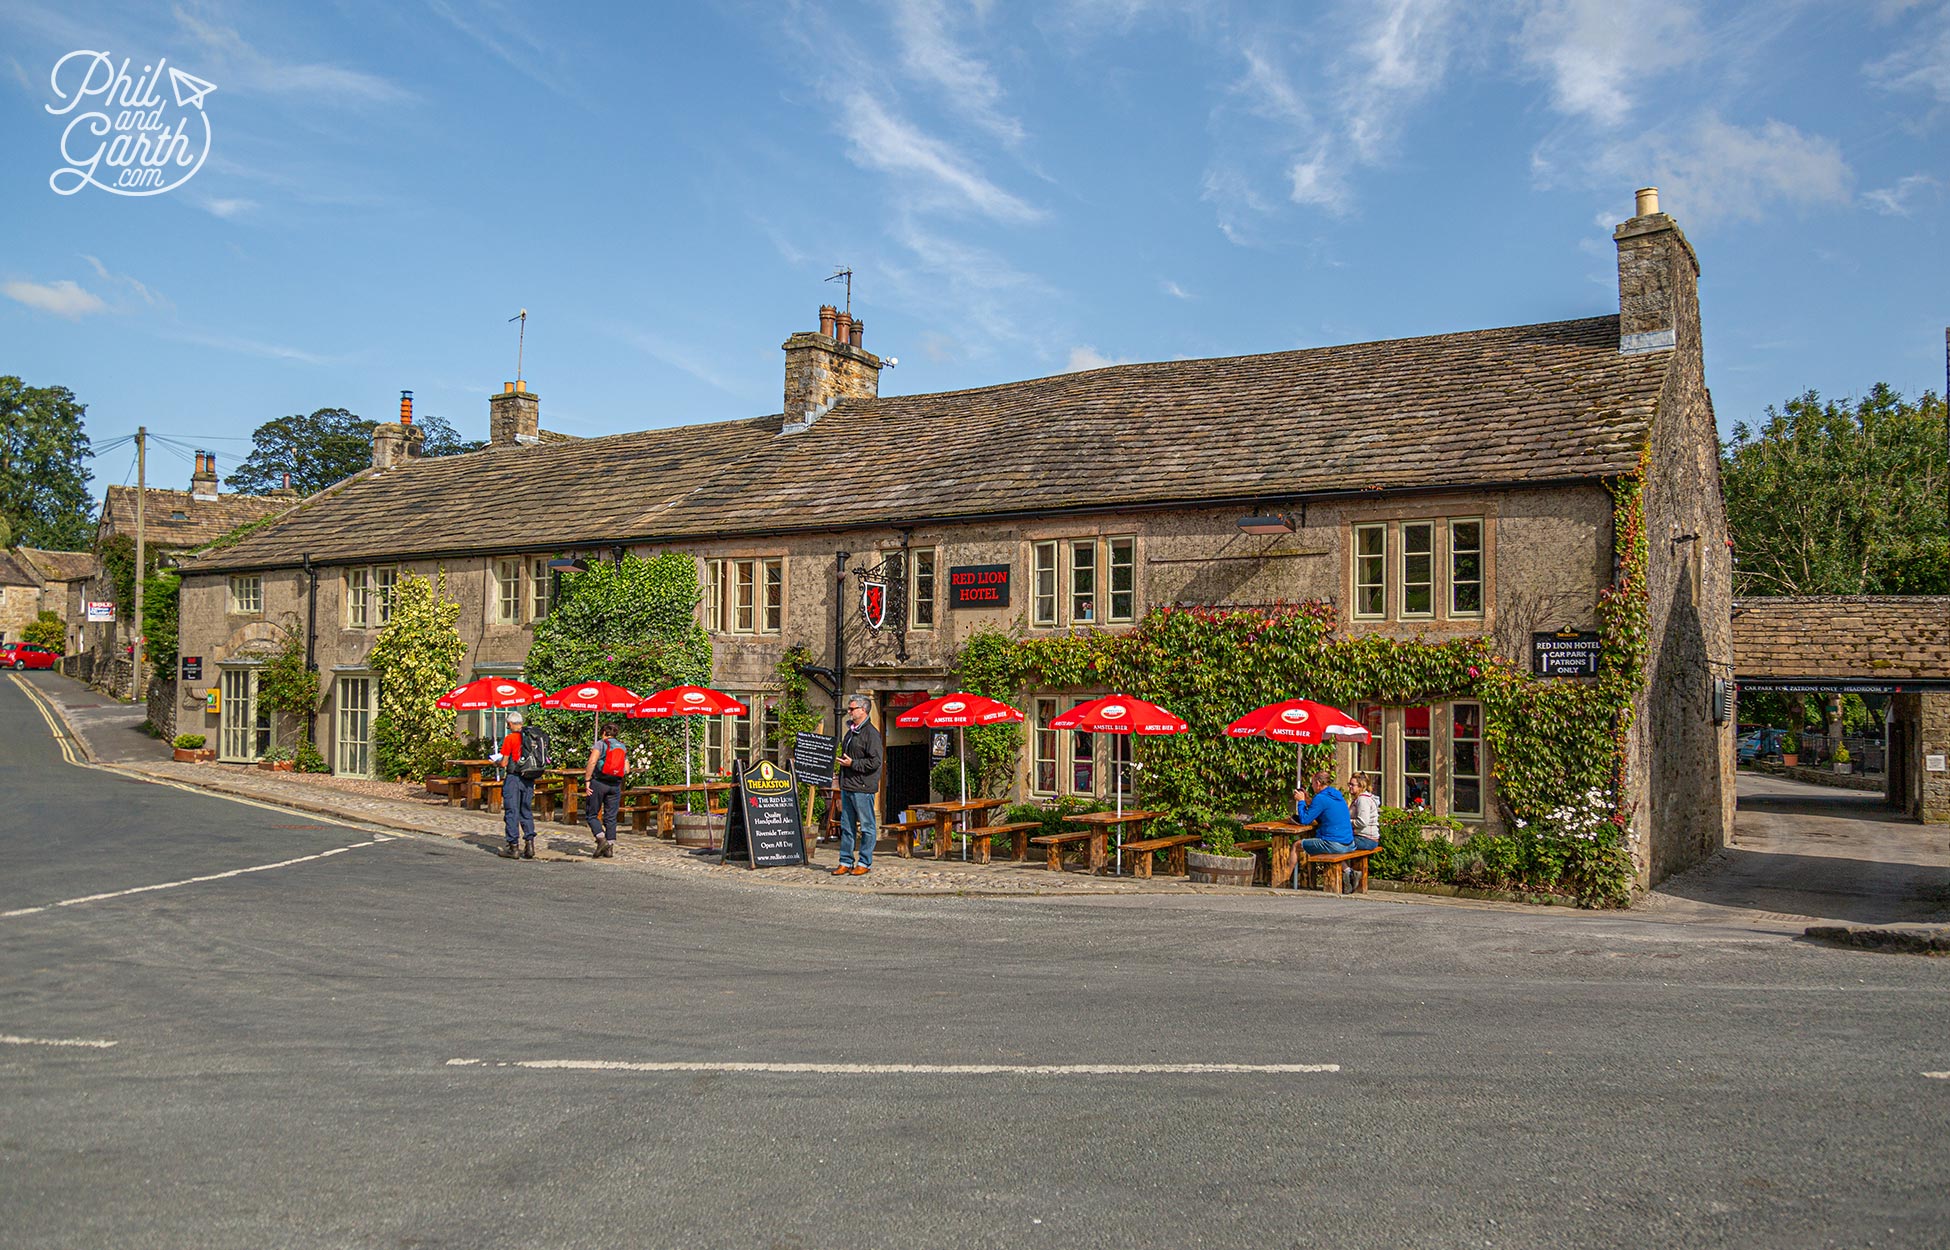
1717, 171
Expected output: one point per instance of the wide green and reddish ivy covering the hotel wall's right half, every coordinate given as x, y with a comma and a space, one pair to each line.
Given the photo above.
1555, 744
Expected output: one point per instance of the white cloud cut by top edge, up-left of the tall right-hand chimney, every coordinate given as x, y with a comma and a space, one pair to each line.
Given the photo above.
1596, 52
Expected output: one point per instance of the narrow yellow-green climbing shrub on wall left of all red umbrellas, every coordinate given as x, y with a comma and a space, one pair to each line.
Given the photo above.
416, 660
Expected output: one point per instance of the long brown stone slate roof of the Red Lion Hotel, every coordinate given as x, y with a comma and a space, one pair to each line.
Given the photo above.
1524, 405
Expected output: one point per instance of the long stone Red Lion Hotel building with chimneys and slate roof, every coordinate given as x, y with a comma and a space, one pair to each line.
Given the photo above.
1444, 487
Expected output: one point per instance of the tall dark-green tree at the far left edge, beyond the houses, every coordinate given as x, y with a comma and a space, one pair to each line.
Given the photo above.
44, 467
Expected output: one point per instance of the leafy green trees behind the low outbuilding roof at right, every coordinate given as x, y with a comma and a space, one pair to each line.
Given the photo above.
1840, 498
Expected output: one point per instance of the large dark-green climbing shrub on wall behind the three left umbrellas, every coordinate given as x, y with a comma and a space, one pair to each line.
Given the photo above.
635, 625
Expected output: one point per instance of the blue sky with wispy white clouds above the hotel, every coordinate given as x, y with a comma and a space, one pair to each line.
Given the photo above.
1021, 190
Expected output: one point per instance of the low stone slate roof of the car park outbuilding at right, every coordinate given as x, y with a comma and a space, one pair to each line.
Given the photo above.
1873, 637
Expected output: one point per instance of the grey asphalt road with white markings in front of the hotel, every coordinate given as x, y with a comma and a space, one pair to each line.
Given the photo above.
282, 1068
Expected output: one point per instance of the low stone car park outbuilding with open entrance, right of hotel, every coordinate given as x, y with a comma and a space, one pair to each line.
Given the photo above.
1865, 645
